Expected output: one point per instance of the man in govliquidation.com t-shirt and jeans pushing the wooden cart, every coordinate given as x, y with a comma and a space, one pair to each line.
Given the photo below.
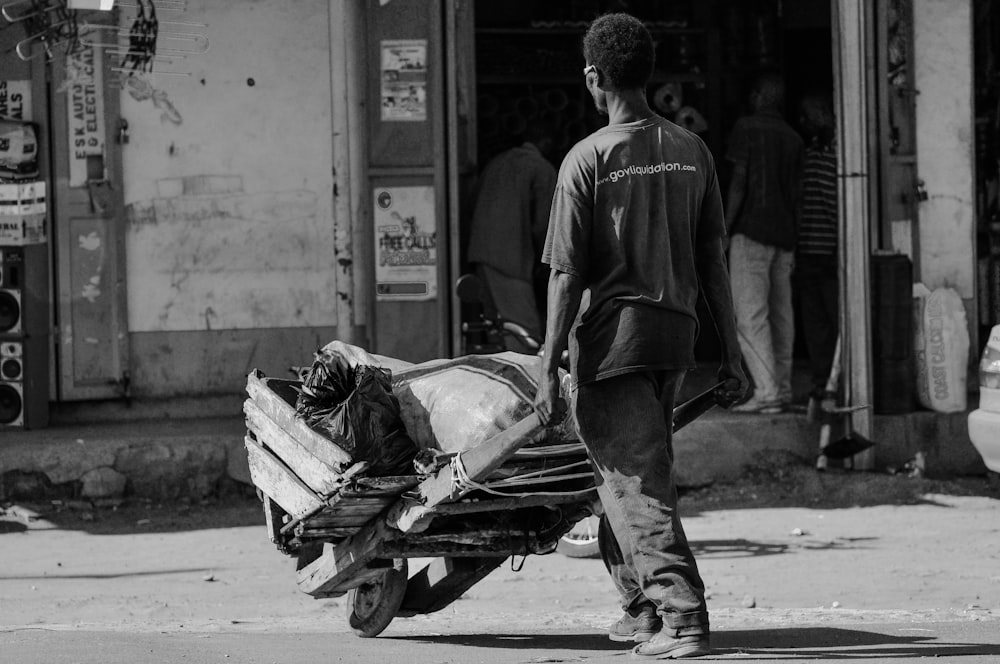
636, 219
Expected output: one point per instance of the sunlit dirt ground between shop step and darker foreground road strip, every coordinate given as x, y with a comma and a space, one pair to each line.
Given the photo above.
784, 545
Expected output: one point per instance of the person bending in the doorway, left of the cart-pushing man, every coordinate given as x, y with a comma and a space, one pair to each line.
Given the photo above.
508, 228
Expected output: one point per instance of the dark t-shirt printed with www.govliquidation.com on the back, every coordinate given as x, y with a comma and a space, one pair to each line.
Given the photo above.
631, 204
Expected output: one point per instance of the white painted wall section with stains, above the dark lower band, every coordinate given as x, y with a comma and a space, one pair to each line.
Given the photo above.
230, 198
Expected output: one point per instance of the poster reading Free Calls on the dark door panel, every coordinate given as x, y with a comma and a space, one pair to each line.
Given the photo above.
405, 243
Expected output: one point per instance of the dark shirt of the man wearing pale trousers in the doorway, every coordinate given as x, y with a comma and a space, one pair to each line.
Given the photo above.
771, 153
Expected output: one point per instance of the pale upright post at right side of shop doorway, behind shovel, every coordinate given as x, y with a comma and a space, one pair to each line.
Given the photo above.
852, 49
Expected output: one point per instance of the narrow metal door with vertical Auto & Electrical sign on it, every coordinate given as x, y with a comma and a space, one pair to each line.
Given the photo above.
89, 226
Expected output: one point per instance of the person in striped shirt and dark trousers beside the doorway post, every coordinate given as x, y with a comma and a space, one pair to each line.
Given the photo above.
816, 271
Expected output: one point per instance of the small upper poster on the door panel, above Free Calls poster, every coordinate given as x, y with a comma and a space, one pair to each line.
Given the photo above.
404, 80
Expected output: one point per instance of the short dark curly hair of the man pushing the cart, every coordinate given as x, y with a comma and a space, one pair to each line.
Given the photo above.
620, 46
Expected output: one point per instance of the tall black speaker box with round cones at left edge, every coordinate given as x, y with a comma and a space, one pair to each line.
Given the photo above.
24, 337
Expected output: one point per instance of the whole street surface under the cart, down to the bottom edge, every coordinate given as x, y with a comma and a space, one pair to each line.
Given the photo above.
203, 584
